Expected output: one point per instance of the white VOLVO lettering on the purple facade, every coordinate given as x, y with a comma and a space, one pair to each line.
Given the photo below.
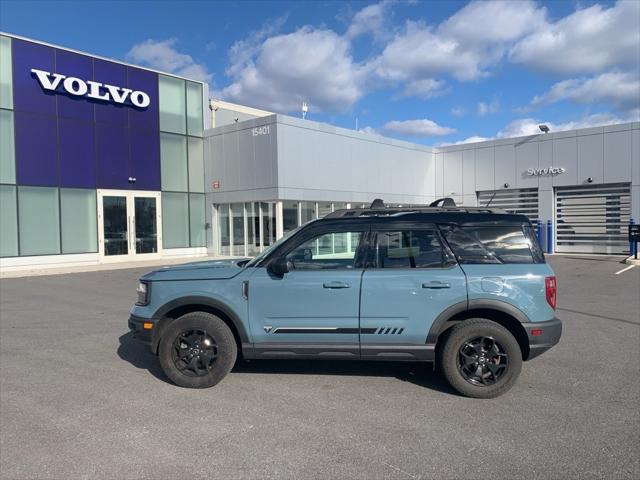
95, 90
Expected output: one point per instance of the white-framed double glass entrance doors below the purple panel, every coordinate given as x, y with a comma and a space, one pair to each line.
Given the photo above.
128, 225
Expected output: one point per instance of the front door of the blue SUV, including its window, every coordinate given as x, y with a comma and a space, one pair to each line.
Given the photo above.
314, 308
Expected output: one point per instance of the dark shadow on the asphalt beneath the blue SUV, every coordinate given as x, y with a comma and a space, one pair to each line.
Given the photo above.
421, 374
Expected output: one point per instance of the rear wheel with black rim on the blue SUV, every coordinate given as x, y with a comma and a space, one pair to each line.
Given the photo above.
480, 358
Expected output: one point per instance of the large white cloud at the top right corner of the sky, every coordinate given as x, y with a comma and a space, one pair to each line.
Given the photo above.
589, 40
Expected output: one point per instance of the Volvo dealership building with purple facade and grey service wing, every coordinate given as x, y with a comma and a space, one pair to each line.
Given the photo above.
102, 161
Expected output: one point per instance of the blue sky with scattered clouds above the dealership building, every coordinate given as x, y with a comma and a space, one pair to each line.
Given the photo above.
431, 72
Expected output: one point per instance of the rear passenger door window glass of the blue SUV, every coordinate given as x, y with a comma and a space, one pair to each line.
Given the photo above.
410, 249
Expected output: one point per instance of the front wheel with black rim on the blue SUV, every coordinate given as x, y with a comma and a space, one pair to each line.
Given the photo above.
197, 350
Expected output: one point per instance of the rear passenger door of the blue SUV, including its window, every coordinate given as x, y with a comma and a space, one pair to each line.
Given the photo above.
411, 278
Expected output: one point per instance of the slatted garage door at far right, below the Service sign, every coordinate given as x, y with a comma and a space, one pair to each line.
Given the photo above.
593, 218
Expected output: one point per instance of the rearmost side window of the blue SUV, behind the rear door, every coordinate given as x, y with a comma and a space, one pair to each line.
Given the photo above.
494, 244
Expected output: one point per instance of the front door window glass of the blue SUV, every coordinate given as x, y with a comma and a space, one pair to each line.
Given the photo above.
329, 251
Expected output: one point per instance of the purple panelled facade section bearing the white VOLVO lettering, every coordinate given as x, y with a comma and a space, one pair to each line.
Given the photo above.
84, 122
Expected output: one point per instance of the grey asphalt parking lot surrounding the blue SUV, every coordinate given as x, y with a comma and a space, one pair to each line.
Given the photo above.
80, 399
